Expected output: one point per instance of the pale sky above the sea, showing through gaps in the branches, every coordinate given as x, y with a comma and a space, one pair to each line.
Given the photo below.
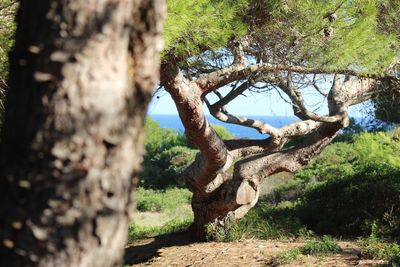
260, 104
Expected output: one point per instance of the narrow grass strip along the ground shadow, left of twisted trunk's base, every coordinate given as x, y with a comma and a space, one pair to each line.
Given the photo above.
176, 225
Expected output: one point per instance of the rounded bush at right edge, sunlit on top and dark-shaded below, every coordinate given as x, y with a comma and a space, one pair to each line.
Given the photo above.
353, 186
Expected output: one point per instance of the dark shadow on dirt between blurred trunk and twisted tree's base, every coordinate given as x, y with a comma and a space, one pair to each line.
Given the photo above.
144, 250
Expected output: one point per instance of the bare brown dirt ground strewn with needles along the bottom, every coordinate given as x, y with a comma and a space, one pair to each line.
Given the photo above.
180, 250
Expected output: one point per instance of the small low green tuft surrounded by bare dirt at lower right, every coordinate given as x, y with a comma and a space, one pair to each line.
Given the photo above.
323, 246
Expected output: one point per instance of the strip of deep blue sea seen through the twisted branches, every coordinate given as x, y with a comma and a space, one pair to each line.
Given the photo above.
174, 122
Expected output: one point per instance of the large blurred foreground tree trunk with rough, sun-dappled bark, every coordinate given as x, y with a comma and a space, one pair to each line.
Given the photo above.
81, 75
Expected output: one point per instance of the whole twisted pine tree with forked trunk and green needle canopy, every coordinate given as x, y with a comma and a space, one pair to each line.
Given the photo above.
339, 49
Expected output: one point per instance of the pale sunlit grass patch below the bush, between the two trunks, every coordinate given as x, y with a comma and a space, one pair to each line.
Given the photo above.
161, 200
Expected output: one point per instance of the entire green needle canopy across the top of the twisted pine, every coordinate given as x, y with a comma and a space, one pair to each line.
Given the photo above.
362, 34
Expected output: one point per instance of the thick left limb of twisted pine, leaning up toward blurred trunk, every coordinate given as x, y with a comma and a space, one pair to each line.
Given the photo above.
214, 154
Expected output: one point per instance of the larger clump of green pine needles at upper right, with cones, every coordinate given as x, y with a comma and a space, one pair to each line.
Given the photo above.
354, 42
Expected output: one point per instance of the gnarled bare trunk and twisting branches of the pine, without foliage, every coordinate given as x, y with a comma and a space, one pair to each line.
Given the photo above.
219, 196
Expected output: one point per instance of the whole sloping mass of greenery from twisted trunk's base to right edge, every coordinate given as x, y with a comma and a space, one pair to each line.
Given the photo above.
346, 190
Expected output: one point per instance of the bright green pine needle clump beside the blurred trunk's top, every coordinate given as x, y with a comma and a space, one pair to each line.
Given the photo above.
195, 26
